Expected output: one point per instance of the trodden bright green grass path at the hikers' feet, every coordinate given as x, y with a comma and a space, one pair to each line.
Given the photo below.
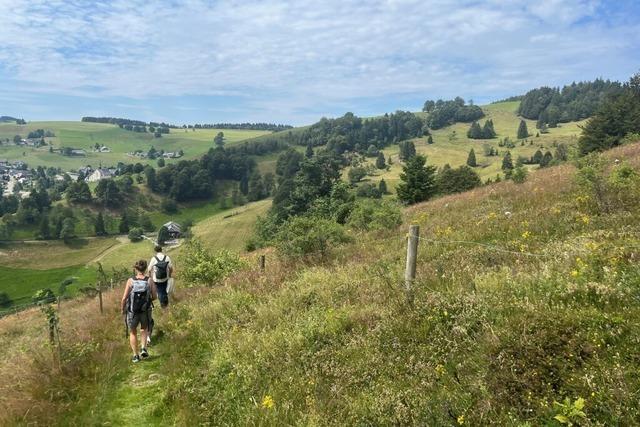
136, 396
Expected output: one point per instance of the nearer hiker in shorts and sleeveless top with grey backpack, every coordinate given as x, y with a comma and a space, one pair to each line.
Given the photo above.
136, 305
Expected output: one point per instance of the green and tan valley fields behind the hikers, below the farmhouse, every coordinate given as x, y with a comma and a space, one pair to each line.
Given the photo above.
30, 266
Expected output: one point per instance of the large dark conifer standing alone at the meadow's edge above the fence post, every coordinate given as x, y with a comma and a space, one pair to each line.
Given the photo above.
418, 181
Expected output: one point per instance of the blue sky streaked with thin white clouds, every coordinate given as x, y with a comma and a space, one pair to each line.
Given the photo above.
294, 62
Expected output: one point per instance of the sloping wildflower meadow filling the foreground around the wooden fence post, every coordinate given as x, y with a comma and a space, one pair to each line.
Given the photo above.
542, 306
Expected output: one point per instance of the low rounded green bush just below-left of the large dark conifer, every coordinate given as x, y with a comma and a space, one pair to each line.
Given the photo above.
370, 215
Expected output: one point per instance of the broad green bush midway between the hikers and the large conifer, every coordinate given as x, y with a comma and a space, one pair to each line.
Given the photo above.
302, 236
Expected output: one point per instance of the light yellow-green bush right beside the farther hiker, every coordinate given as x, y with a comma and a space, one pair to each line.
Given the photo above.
202, 267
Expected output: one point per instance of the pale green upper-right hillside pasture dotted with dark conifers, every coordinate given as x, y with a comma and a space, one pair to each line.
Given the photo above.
451, 145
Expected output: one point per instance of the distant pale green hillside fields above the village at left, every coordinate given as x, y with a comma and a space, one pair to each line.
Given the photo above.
82, 135
